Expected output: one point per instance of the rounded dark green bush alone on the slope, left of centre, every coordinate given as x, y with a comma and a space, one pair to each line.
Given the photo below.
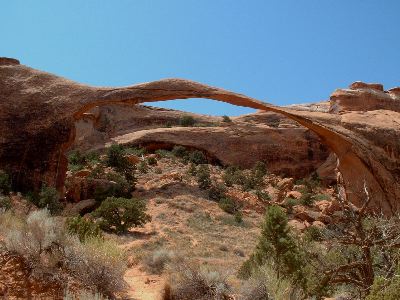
119, 214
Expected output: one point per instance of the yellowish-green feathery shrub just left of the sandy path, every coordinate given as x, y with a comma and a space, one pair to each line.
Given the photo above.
98, 263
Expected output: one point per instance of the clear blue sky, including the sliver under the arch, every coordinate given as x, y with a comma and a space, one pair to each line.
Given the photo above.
277, 51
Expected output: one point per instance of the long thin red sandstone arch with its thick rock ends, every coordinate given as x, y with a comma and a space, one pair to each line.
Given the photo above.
38, 111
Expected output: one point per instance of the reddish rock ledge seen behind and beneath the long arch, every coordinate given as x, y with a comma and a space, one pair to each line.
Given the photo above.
294, 151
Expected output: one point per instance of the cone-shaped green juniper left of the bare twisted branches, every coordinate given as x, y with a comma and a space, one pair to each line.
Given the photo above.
276, 243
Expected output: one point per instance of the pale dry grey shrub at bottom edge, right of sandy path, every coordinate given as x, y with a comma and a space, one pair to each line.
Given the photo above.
194, 282
